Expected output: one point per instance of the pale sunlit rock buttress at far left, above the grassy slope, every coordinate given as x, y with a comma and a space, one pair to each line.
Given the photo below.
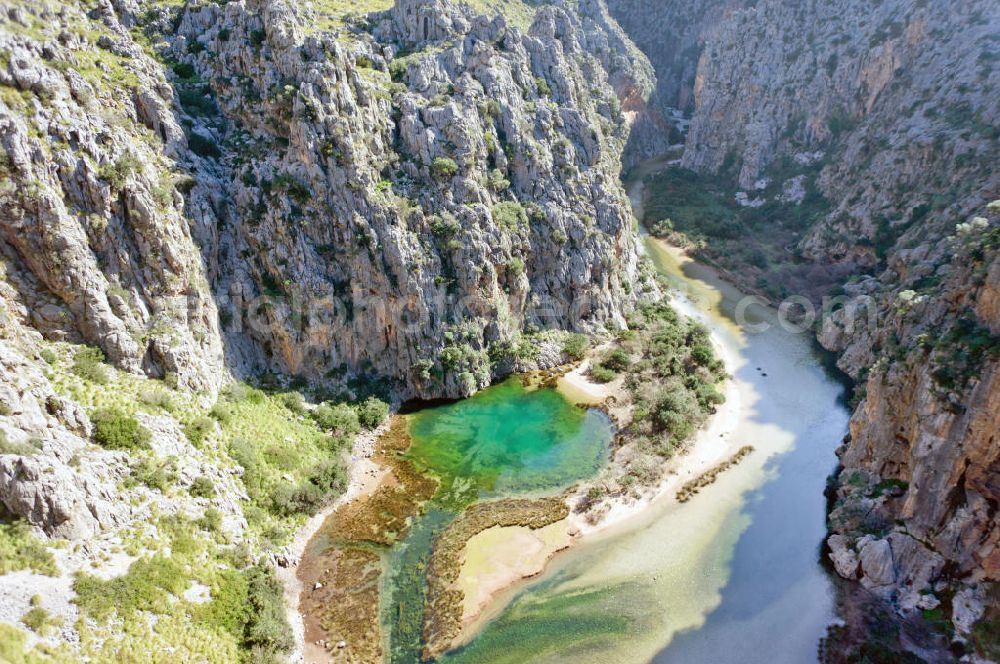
93, 234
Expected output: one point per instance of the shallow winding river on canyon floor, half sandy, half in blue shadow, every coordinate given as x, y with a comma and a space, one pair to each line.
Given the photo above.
734, 575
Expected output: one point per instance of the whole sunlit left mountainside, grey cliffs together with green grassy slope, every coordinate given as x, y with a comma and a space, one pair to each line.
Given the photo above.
419, 198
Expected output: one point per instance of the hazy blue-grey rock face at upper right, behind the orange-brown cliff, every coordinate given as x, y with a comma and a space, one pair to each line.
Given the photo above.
894, 96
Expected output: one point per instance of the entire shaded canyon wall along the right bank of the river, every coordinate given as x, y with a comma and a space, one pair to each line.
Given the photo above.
895, 105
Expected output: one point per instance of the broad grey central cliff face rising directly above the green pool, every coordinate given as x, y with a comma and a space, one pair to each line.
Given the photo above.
407, 195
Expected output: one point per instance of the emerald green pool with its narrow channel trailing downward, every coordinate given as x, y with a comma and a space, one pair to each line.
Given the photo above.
504, 441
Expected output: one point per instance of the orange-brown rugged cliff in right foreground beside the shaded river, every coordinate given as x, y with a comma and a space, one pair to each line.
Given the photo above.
922, 468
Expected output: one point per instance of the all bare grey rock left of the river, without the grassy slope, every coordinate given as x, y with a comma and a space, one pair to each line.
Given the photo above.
399, 198
